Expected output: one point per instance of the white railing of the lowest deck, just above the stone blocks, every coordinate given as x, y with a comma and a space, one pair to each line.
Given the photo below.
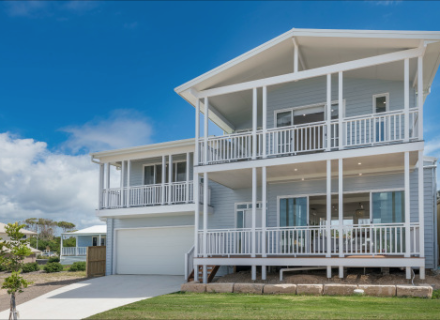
372, 239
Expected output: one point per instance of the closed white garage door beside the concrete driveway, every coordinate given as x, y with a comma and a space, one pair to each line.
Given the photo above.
153, 250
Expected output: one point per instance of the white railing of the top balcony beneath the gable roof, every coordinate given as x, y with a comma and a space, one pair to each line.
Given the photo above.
359, 131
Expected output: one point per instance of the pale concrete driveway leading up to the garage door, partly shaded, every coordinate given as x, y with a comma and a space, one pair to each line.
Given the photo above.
88, 297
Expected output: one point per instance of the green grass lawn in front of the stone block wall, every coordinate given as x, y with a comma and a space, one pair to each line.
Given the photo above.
238, 306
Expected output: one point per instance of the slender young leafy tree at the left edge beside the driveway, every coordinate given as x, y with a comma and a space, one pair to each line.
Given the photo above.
16, 250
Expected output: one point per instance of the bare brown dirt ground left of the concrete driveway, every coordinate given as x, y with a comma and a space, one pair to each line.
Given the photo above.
43, 283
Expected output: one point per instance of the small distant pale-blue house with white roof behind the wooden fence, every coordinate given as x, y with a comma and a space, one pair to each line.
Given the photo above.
88, 237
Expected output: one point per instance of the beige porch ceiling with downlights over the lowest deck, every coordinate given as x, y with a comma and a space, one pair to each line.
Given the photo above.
378, 164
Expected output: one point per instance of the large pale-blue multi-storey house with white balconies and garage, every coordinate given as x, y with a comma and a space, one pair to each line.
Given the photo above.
321, 163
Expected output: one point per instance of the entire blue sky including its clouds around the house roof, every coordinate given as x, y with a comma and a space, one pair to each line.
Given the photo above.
78, 77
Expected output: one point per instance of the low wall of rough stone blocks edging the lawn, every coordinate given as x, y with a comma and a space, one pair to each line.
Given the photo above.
311, 289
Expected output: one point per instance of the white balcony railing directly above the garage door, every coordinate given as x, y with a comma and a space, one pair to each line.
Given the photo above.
150, 195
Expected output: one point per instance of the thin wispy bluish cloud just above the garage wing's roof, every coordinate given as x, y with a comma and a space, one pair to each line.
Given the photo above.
124, 128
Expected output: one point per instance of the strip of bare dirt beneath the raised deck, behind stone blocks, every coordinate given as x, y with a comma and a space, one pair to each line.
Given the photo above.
353, 276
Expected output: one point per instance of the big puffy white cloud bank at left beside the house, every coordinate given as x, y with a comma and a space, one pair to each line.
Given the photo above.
35, 182
